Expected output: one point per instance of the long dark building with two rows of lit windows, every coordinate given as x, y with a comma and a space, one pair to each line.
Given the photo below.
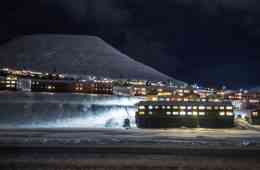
168, 114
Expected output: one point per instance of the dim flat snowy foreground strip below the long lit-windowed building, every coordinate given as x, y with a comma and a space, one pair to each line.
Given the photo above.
80, 149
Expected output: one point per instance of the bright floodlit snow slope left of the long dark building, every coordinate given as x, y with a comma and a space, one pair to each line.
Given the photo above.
48, 110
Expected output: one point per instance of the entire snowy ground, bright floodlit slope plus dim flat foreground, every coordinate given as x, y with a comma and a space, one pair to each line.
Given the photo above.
75, 132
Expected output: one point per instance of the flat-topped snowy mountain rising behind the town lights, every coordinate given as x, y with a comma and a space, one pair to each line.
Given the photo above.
73, 54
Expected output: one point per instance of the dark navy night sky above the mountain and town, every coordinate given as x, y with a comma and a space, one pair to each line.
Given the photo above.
211, 42
